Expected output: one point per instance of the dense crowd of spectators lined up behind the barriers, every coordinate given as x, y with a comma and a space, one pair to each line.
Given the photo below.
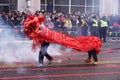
70, 24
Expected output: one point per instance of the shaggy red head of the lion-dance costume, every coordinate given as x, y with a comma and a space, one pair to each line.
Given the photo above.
31, 24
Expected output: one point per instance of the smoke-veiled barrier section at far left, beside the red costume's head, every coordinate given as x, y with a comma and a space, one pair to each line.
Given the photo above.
11, 33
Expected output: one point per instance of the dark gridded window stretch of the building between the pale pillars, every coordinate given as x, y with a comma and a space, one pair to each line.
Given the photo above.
71, 6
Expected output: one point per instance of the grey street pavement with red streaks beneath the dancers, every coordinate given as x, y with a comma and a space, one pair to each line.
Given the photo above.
68, 67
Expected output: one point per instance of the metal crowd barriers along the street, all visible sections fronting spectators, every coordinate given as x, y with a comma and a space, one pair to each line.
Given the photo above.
16, 32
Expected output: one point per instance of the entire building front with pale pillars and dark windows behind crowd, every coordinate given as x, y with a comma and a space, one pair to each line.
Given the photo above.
106, 7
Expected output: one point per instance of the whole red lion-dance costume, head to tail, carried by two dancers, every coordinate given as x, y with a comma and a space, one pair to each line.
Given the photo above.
36, 31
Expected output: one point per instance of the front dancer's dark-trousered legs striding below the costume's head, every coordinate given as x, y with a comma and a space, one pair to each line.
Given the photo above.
43, 53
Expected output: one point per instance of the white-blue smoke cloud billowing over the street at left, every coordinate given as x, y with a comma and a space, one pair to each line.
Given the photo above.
14, 50
